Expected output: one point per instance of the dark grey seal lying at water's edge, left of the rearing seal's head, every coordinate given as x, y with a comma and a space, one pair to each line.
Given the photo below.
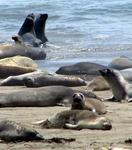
81, 68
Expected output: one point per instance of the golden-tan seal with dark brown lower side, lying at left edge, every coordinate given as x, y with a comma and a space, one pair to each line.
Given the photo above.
16, 65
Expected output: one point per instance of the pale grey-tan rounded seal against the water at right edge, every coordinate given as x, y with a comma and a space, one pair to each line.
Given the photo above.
120, 63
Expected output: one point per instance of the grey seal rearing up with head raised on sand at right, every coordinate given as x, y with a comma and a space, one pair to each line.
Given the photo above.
121, 89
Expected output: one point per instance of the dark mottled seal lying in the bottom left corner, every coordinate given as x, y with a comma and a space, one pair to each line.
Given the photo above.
11, 131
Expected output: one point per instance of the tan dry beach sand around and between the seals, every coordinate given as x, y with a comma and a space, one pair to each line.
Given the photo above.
119, 114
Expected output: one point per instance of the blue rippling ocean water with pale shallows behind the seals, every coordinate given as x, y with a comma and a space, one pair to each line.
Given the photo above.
78, 30
